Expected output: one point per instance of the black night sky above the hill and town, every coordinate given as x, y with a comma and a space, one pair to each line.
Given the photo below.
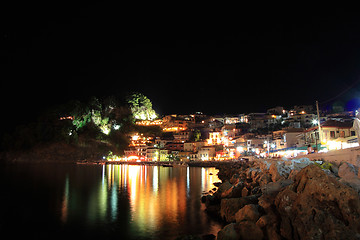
216, 62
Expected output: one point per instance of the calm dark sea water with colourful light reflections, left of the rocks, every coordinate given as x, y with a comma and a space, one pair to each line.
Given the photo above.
104, 202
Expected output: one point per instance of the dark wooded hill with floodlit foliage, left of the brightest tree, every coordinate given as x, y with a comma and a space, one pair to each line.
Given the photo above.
101, 120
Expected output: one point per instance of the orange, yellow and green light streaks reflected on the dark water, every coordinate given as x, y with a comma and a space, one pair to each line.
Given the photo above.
158, 197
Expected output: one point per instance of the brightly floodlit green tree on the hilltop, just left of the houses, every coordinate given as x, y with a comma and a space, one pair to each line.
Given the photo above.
141, 107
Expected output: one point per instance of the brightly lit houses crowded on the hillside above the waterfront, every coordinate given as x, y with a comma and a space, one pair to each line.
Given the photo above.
278, 132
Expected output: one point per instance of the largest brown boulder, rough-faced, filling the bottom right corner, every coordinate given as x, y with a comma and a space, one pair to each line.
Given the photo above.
317, 206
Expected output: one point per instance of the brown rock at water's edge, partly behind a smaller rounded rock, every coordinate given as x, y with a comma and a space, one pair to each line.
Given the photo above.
229, 206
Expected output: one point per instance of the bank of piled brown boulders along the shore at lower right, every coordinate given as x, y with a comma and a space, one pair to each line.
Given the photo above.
287, 199
